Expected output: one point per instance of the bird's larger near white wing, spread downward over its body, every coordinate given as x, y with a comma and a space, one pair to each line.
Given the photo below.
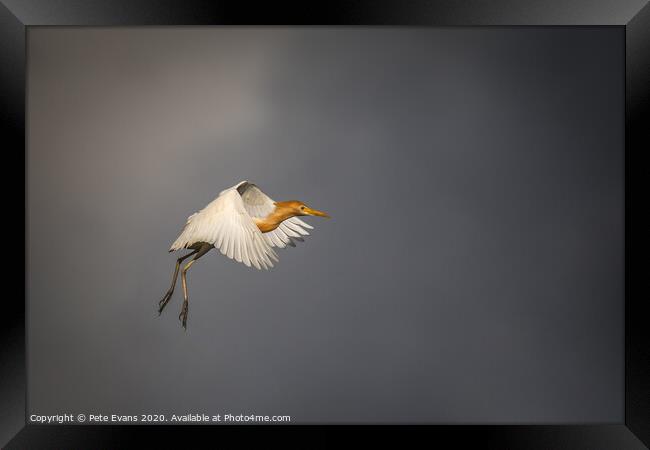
227, 225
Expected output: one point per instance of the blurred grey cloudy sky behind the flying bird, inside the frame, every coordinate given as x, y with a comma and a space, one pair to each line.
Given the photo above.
473, 268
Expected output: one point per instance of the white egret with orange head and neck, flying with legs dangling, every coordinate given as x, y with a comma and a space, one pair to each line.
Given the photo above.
244, 224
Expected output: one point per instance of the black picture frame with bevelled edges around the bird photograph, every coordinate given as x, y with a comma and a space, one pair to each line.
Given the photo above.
634, 16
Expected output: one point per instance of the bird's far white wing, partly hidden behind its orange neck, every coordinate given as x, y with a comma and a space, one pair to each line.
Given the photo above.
260, 205
